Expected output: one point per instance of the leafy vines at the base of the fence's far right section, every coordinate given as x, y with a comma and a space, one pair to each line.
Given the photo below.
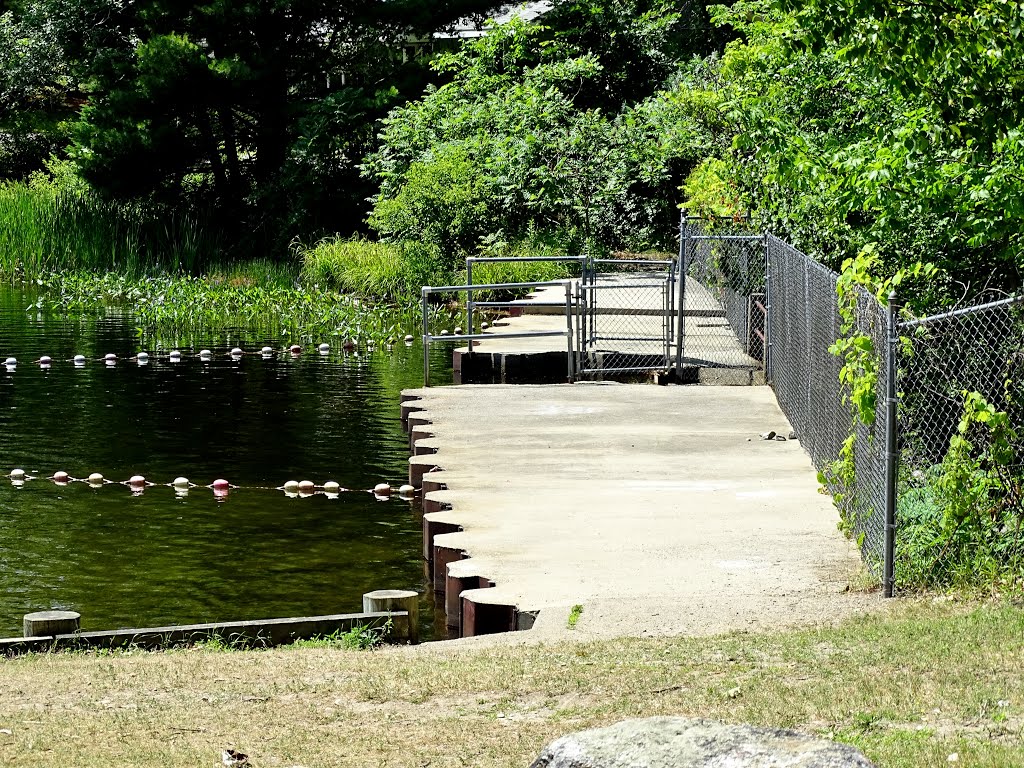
956, 529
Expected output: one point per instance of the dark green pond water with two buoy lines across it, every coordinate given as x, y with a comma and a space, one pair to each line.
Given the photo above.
159, 559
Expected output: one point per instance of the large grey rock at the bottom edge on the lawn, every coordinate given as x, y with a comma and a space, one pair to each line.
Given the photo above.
689, 743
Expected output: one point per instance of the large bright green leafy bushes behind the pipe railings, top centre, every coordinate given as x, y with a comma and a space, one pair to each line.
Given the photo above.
545, 127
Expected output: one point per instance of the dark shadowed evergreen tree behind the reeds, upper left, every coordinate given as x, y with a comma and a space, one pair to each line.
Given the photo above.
262, 110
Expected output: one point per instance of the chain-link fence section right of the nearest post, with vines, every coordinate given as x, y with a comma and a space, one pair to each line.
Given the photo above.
961, 482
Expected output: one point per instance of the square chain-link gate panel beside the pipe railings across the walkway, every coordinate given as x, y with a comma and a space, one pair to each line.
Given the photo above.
625, 311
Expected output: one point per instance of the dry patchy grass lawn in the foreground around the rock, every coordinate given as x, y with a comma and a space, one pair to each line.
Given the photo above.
911, 687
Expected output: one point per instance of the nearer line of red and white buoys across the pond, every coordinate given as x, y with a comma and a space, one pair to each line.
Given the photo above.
221, 487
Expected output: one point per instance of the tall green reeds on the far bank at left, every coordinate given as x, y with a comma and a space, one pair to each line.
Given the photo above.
46, 229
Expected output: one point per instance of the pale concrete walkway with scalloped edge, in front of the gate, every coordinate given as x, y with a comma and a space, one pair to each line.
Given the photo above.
659, 510
